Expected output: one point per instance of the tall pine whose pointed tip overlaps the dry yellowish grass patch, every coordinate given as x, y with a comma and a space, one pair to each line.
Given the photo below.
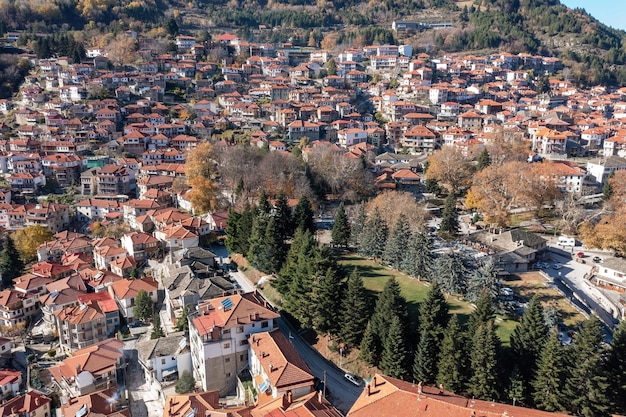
528, 339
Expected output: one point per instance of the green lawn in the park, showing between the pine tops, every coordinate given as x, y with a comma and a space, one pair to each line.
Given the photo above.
375, 276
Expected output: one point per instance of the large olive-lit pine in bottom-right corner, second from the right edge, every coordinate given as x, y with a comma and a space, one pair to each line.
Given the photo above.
586, 385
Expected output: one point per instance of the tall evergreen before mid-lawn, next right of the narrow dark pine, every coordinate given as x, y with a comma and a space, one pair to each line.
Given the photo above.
389, 304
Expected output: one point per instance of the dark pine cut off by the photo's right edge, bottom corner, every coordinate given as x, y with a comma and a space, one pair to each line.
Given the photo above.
617, 369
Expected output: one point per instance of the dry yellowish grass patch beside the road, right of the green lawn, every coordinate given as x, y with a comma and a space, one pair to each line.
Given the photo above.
530, 283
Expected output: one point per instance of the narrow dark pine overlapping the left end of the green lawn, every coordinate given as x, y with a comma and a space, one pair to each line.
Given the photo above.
355, 311
